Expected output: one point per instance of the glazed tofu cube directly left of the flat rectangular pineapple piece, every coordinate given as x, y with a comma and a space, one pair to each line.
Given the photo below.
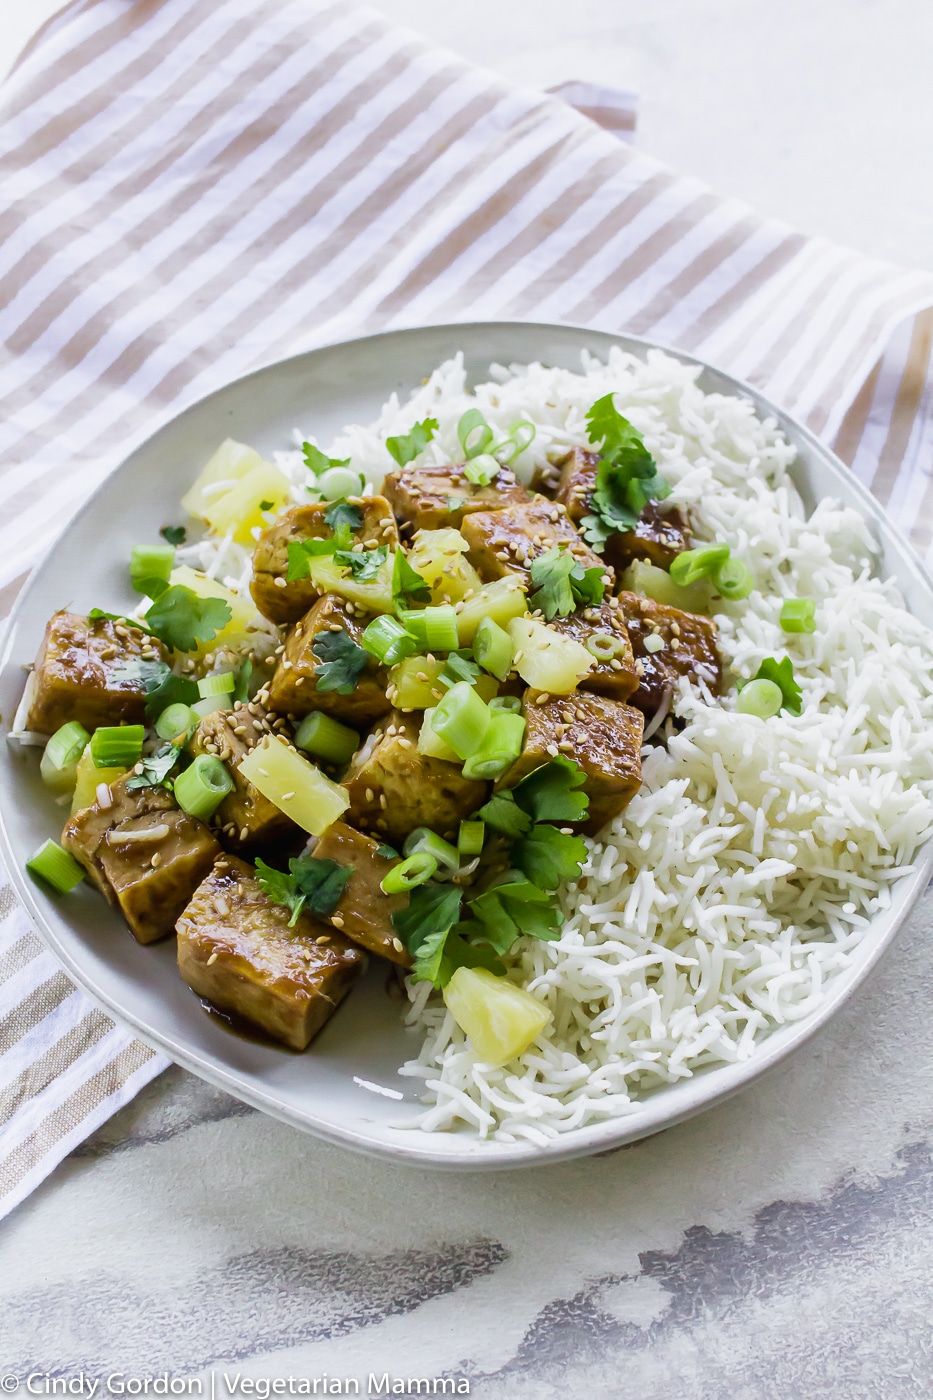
246, 817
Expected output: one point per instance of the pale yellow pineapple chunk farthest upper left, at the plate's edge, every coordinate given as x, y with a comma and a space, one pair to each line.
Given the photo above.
247, 481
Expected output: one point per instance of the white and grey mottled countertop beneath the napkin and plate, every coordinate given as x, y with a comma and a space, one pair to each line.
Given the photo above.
777, 1247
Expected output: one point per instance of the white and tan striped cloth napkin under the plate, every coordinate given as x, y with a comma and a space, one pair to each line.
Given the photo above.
200, 187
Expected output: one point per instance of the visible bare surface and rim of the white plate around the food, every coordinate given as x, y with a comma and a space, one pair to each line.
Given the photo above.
326, 1090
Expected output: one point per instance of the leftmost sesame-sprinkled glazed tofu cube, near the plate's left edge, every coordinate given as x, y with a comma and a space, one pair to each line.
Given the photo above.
78, 674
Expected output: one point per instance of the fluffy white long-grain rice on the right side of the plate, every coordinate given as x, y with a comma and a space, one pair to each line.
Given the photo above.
746, 873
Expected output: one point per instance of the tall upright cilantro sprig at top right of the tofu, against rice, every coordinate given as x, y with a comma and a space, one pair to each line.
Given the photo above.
627, 475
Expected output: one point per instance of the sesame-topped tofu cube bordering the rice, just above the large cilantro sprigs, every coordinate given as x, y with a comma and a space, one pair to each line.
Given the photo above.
602, 736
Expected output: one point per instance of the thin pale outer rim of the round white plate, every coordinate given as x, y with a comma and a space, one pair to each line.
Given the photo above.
712, 1086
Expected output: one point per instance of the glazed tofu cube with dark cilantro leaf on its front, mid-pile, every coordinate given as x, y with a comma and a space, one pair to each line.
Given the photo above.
295, 685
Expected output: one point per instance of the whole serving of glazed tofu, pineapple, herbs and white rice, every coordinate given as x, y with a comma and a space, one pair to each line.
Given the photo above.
547, 694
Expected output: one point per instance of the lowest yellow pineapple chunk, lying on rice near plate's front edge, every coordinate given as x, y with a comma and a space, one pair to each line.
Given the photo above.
501, 1020
